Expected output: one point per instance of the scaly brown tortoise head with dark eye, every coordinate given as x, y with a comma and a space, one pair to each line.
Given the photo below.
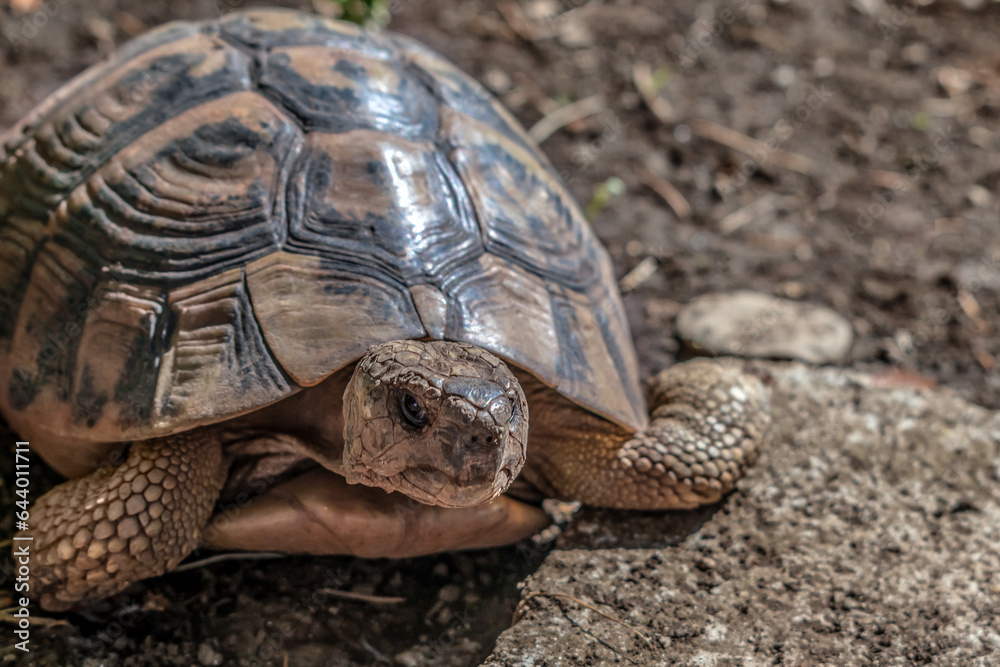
442, 422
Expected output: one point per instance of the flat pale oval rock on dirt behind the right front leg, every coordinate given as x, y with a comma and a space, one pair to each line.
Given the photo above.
751, 324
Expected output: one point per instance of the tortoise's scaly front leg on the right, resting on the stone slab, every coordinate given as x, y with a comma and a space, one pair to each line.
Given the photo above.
706, 426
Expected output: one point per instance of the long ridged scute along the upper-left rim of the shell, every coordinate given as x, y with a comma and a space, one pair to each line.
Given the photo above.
76, 131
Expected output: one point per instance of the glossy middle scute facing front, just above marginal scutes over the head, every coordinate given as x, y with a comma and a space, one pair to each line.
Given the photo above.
380, 205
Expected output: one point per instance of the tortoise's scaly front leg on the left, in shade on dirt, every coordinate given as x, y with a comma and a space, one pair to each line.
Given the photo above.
96, 535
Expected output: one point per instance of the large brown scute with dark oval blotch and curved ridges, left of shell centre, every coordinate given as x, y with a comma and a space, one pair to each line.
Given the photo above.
194, 197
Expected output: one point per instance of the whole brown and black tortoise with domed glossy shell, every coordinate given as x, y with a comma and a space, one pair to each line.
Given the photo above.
250, 263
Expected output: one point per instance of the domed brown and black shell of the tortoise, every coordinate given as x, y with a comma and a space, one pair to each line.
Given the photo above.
225, 212
